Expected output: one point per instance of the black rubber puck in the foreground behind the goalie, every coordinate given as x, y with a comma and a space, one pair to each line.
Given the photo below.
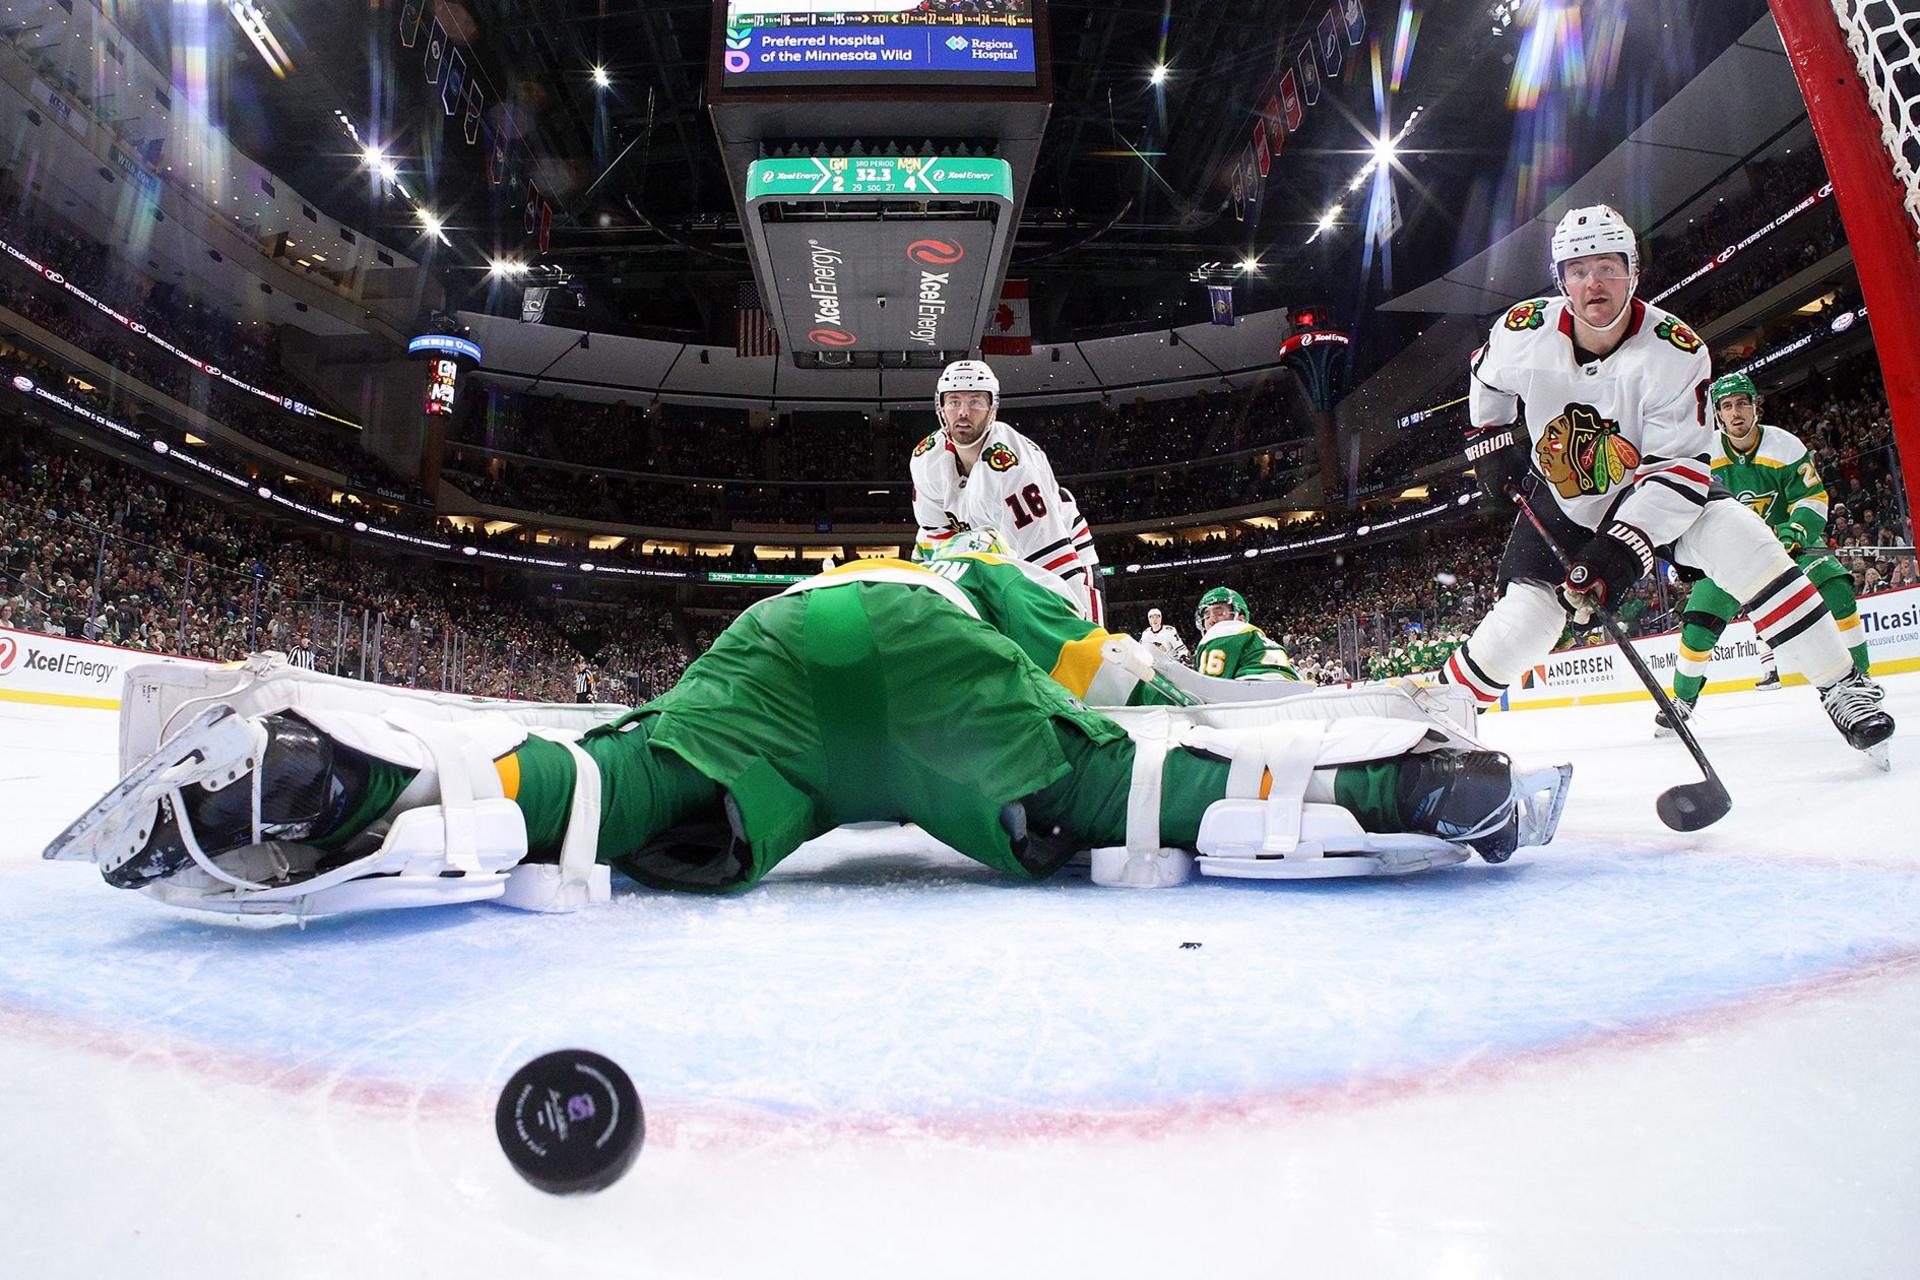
571, 1122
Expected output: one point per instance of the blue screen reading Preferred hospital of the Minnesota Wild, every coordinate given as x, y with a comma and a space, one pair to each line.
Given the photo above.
852, 43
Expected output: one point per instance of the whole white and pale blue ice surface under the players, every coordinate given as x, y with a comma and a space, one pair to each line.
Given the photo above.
1633, 1053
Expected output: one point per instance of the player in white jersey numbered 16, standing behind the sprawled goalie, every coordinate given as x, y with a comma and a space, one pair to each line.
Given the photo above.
980, 473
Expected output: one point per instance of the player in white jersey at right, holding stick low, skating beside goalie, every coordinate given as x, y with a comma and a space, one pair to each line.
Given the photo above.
1598, 402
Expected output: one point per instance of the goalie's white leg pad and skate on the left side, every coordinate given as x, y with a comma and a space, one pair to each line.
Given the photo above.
268, 815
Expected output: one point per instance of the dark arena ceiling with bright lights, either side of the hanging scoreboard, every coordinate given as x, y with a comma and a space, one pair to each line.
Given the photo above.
1132, 191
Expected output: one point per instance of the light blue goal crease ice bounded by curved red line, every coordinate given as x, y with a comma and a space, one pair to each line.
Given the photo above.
884, 987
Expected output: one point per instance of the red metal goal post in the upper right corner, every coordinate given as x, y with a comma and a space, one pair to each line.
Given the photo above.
1858, 64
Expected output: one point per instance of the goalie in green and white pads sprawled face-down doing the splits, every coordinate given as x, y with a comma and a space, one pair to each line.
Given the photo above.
876, 692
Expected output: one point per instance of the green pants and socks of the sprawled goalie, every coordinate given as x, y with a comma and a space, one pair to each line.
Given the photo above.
871, 701
